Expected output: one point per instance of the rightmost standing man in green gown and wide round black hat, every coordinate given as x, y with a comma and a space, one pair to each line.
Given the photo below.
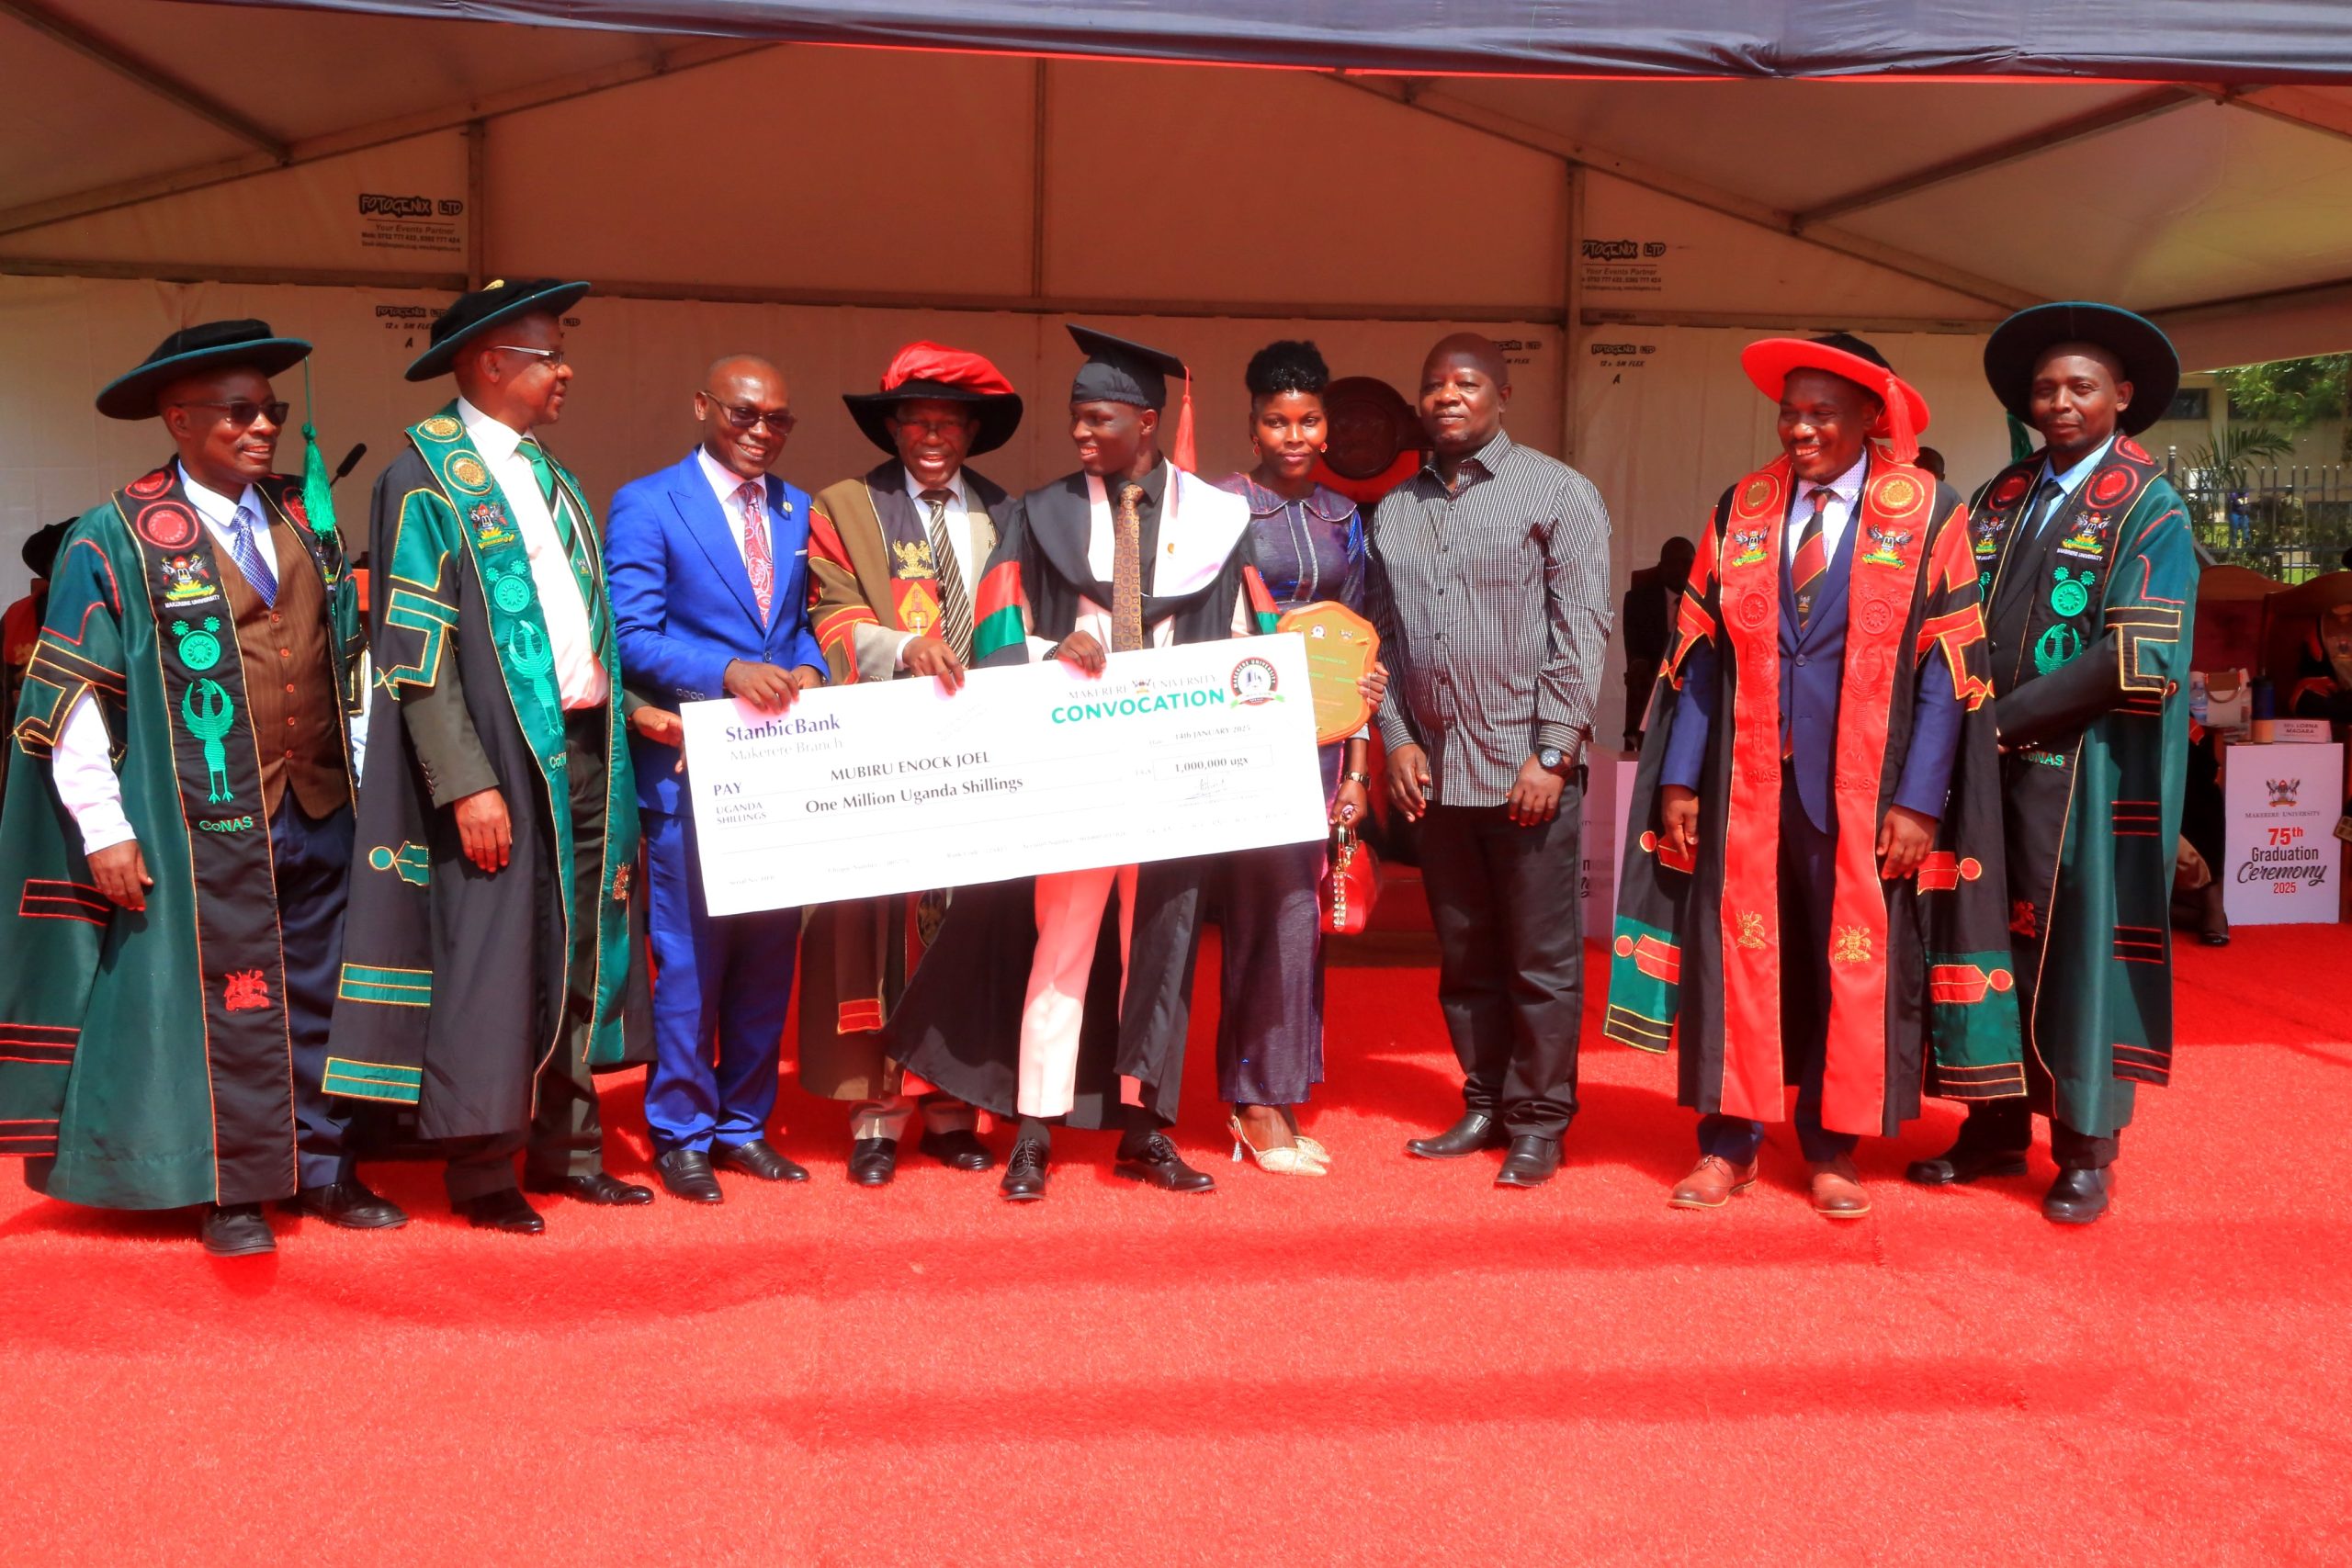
2090, 579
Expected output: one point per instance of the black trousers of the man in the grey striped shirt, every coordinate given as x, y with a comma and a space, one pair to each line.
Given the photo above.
1511, 970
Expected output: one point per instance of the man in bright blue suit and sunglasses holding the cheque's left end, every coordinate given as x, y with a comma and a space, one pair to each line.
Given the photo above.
709, 565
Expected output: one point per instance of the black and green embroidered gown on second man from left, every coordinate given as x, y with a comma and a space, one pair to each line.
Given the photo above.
453, 989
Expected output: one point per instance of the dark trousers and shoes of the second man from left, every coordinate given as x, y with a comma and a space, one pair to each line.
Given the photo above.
566, 1137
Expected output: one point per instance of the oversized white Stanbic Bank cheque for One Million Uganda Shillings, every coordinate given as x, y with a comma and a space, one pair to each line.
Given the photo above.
897, 786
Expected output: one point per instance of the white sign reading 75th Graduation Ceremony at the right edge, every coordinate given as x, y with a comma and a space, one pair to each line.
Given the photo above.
2283, 857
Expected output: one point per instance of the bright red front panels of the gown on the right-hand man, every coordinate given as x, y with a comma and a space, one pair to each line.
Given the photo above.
1890, 549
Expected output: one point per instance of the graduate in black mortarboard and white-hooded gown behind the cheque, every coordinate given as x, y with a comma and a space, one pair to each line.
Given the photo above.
1001, 1012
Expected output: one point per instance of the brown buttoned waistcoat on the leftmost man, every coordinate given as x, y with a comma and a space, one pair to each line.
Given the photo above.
288, 678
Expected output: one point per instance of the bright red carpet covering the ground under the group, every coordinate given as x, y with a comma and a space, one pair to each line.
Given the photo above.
1391, 1365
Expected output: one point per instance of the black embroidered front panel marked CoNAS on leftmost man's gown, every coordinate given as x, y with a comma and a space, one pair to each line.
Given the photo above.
248, 1050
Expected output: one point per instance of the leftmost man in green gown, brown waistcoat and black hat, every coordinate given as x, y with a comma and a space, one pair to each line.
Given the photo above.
178, 833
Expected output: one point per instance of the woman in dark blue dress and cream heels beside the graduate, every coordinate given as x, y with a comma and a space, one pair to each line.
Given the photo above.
1309, 547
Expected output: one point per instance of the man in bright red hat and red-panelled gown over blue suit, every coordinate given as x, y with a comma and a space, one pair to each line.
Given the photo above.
1857, 544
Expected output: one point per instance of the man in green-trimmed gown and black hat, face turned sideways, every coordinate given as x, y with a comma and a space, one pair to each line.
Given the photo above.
488, 953
